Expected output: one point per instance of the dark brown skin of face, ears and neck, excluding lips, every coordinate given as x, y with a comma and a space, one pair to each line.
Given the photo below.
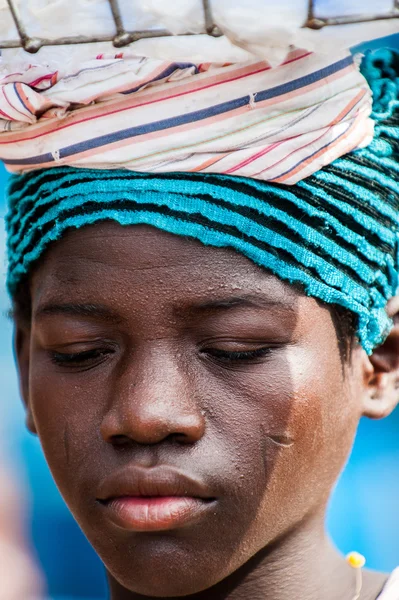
195, 358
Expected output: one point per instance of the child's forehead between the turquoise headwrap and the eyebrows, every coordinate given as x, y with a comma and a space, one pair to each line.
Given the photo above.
110, 261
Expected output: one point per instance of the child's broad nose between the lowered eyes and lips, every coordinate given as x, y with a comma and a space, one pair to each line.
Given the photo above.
153, 400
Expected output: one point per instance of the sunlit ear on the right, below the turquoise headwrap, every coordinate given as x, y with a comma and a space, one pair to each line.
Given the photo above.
382, 379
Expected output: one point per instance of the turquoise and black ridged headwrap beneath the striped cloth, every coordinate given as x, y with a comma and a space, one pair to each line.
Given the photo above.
336, 233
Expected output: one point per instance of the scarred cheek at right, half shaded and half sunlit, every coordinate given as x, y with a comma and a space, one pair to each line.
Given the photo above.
292, 425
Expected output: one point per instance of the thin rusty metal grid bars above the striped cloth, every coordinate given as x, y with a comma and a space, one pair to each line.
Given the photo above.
122, 37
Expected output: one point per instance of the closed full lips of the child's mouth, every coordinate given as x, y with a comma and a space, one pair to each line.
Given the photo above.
157, 499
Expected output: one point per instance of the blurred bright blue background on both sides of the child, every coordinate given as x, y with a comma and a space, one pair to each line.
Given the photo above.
363, 514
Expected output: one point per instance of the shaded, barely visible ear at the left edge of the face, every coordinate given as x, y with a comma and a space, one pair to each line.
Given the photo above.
22, 354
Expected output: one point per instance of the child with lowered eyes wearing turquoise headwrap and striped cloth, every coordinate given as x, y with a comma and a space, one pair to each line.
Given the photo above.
203, 261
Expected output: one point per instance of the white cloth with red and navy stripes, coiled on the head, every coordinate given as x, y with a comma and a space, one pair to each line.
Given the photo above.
275, 124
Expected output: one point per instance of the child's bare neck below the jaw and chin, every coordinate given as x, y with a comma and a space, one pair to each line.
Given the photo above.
303, 564
